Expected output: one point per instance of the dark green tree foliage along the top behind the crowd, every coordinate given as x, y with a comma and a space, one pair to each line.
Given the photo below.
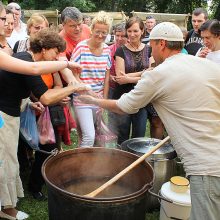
160, 6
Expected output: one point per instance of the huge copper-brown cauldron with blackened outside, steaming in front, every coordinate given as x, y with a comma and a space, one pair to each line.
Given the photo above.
124, 200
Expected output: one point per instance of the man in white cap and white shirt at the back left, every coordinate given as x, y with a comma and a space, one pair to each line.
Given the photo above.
20, 28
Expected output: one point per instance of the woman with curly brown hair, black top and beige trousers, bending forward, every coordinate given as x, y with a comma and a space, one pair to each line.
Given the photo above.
13, 88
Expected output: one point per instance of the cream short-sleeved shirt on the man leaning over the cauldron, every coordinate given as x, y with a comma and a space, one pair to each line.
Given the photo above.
185, 91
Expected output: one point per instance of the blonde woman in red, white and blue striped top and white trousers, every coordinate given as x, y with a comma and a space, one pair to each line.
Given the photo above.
94, 56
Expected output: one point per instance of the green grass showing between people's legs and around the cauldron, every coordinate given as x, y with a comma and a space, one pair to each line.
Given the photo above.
39, 210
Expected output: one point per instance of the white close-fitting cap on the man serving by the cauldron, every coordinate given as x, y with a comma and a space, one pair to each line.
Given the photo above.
166, 31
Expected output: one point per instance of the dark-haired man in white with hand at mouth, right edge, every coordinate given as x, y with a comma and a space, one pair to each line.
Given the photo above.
210, 32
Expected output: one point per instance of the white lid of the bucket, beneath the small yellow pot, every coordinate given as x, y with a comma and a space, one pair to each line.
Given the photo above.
178, 198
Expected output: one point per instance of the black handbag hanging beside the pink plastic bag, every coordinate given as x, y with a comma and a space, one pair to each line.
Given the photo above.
57, 115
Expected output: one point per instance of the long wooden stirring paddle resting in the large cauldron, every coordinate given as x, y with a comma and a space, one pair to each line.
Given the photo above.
127, 169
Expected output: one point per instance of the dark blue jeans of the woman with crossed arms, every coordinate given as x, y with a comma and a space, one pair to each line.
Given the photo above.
136, 123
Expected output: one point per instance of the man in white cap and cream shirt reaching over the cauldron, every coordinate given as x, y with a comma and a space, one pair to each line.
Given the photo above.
185, 92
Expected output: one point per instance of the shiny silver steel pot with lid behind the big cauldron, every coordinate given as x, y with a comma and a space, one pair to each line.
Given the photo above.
162, 161
